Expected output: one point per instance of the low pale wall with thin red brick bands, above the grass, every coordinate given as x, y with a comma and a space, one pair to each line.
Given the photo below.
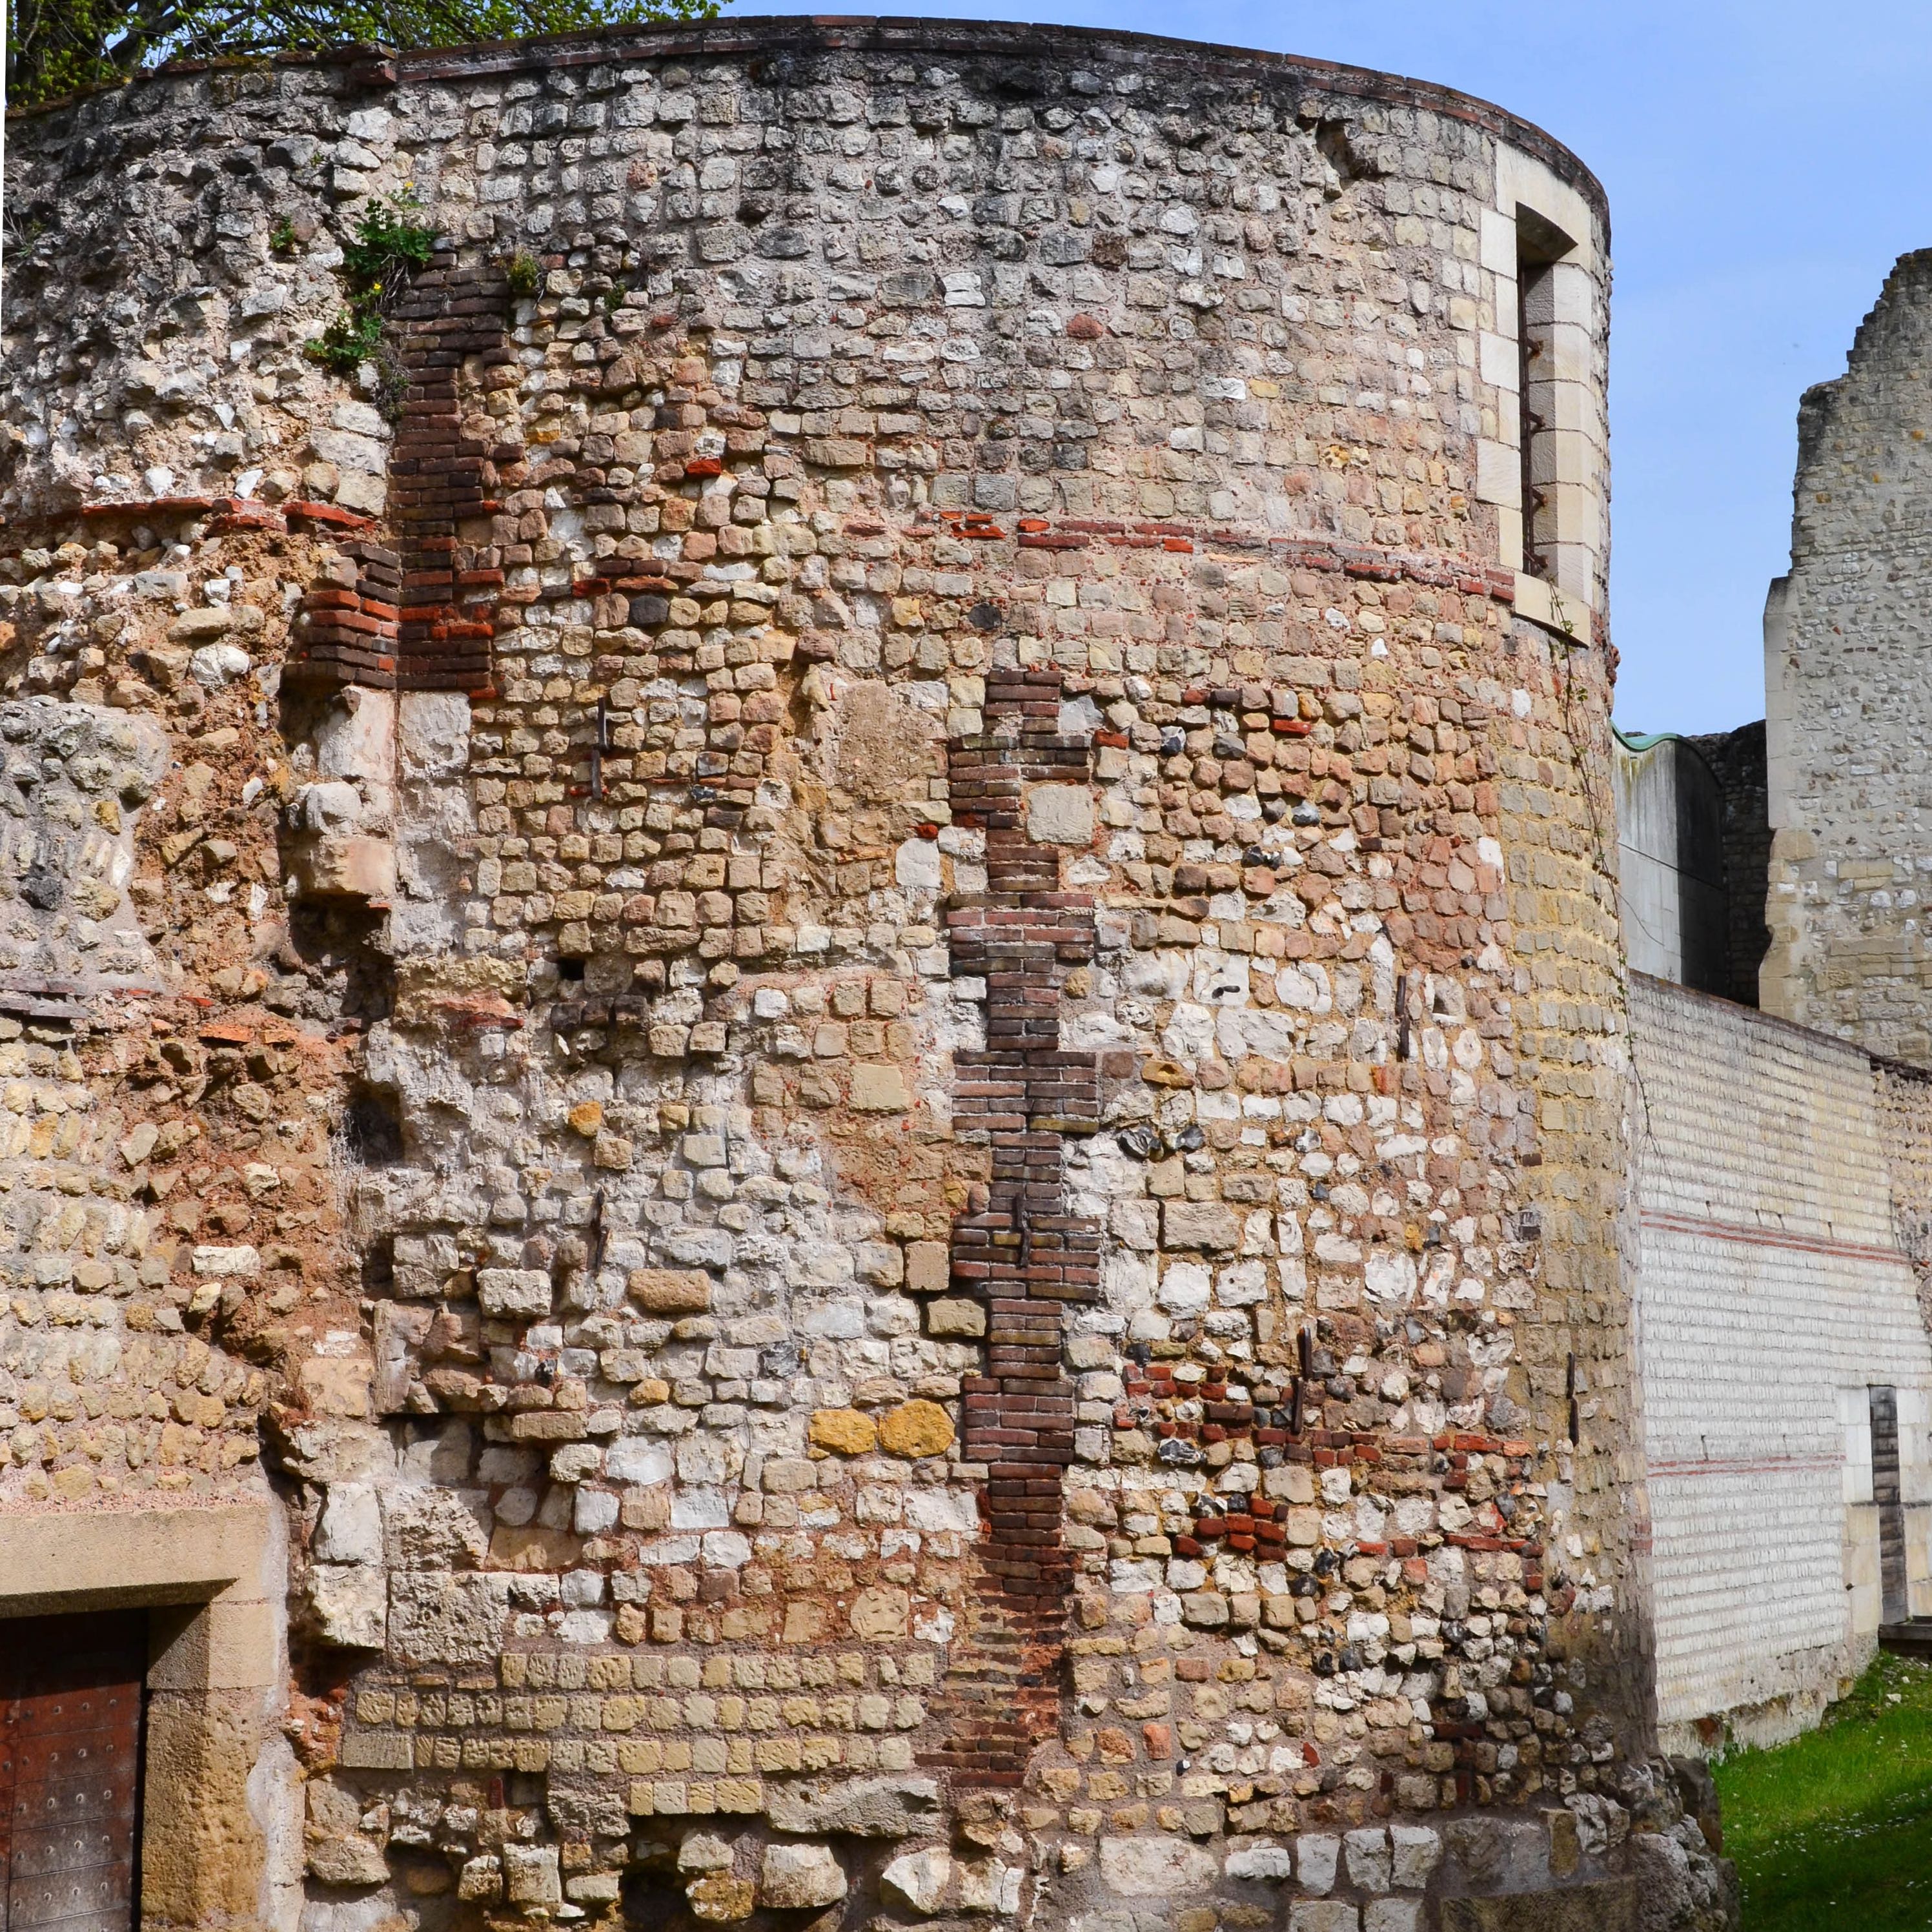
1778, 1270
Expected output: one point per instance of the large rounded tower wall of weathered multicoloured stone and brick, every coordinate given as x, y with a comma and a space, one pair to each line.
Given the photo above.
894, 1081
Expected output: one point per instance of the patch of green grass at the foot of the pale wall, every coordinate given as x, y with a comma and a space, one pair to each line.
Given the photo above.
1834, 1831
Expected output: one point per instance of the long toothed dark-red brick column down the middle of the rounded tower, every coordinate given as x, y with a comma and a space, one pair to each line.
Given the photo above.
1019, 1249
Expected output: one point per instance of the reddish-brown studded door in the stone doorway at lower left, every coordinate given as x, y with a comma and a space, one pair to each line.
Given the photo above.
71, 1771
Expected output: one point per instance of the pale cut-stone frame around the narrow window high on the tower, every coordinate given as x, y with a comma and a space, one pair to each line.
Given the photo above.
1576, 455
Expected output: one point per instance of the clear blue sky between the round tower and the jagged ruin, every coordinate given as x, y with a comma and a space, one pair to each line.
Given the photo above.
1765, 165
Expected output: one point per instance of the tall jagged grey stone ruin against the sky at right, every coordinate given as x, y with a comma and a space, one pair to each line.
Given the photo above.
1846, 691
